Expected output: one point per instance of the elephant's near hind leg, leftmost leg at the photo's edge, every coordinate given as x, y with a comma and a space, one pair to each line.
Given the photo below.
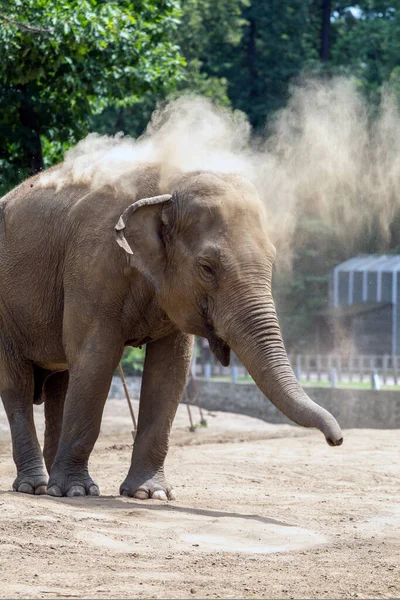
17, 391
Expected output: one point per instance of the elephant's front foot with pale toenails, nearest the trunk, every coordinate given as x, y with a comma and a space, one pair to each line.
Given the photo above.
145, 486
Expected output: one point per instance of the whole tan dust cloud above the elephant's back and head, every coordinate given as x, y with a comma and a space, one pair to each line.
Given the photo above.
327, 154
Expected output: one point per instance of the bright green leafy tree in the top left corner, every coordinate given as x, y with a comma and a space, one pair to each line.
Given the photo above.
62, 61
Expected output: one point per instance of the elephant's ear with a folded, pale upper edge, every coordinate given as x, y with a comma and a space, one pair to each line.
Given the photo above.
139, 236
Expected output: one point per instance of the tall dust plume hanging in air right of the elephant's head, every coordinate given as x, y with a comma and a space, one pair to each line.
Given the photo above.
337, 159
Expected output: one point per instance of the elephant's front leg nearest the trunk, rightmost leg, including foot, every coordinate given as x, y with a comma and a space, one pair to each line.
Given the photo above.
166, 369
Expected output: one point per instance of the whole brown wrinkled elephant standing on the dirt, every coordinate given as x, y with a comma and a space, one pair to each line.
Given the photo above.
72, 296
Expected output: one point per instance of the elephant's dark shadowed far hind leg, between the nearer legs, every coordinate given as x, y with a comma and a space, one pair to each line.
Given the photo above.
55, 389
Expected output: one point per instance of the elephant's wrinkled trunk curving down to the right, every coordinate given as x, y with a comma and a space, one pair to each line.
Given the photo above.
254, 335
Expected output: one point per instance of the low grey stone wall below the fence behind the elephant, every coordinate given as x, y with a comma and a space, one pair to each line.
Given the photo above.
352, 408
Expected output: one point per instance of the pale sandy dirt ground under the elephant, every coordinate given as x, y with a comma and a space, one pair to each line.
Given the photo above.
263, 511
